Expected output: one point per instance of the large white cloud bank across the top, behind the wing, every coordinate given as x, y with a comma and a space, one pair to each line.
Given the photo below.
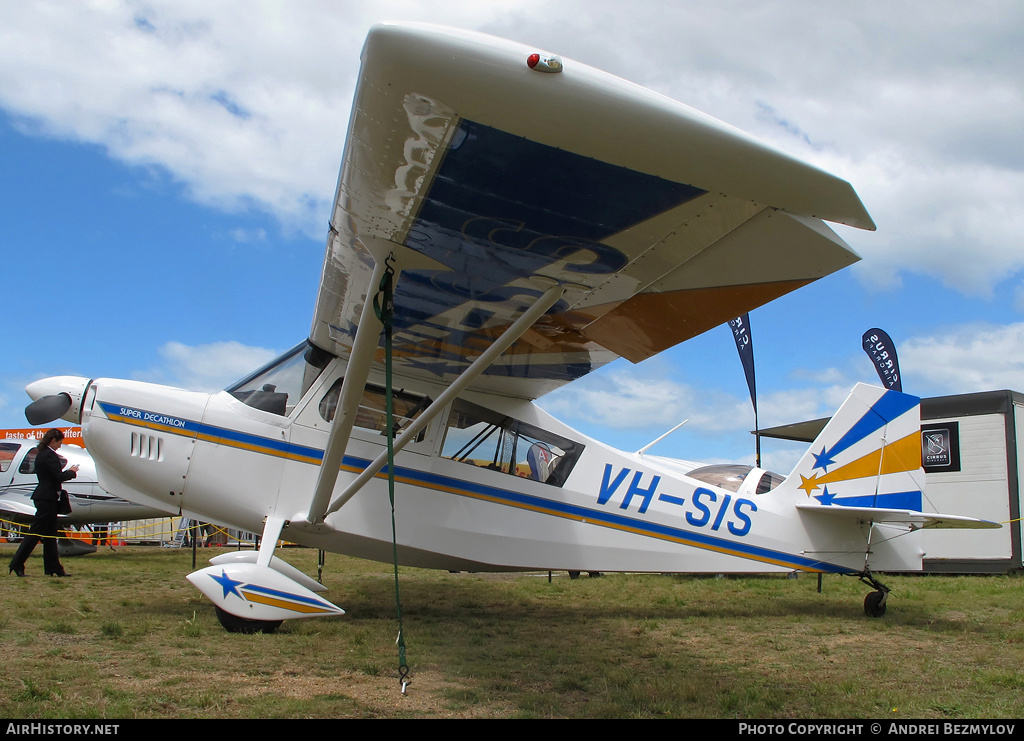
247, 105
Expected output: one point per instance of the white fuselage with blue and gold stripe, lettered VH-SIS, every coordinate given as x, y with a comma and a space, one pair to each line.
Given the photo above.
467, 494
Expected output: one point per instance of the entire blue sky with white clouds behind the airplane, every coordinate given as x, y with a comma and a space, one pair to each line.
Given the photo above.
166, 171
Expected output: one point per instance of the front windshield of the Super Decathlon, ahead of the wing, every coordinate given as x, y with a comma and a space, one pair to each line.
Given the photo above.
279, 386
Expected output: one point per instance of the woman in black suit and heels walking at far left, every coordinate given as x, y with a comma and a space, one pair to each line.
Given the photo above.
50, 471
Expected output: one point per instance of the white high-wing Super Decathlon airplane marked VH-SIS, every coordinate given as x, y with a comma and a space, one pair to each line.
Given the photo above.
535, 219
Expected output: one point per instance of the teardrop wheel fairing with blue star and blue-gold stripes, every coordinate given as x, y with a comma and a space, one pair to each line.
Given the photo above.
260, 593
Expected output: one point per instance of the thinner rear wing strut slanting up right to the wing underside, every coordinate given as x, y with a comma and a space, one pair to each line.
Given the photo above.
516, 331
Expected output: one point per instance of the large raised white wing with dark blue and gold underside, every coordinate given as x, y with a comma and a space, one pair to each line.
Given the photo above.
492, 182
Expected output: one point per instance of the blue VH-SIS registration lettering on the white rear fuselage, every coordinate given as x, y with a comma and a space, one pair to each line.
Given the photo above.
704, 509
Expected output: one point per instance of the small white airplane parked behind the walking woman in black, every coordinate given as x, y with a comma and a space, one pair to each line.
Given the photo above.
90, 504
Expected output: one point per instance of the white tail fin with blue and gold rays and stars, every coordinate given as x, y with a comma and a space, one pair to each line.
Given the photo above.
869, 455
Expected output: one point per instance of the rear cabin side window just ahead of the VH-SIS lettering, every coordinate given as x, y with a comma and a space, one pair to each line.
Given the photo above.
492, 441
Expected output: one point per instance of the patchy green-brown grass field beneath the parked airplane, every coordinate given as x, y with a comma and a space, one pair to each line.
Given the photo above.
127, 637
